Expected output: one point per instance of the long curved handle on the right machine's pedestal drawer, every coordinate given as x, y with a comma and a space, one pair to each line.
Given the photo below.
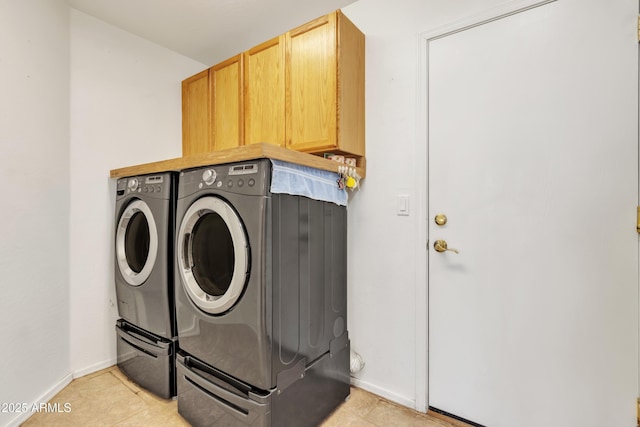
240, 408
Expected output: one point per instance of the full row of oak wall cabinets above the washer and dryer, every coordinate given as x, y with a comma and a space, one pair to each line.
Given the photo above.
303, 90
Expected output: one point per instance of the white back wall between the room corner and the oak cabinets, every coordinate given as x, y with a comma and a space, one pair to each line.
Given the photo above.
125, 110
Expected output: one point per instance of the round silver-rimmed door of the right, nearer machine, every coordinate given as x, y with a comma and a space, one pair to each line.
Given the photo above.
213, 255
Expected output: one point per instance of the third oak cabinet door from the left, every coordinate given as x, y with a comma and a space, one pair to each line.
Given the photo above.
264, 102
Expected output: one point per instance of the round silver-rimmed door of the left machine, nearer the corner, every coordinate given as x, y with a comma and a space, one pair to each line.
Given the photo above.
136, 243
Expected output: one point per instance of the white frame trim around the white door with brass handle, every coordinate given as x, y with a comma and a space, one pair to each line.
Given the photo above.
421, 154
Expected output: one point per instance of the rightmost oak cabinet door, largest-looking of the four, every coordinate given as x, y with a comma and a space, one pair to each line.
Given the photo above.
311, 85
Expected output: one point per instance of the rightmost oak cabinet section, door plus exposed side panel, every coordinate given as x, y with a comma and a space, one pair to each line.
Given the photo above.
325, 87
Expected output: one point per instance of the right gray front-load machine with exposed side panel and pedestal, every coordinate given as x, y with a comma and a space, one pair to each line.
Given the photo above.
260, 300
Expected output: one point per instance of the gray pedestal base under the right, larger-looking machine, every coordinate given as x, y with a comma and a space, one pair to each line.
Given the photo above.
208, 397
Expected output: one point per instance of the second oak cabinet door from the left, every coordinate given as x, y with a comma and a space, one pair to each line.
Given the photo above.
226, 103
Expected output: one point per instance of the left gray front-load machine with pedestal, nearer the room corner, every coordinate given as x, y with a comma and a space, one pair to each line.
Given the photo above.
144, 231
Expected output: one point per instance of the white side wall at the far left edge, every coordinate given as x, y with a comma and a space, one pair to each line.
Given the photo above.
34, 212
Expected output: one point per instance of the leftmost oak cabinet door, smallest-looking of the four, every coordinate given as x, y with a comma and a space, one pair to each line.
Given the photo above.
195, 114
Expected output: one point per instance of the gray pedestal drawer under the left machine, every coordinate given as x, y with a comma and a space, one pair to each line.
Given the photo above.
147, 360
